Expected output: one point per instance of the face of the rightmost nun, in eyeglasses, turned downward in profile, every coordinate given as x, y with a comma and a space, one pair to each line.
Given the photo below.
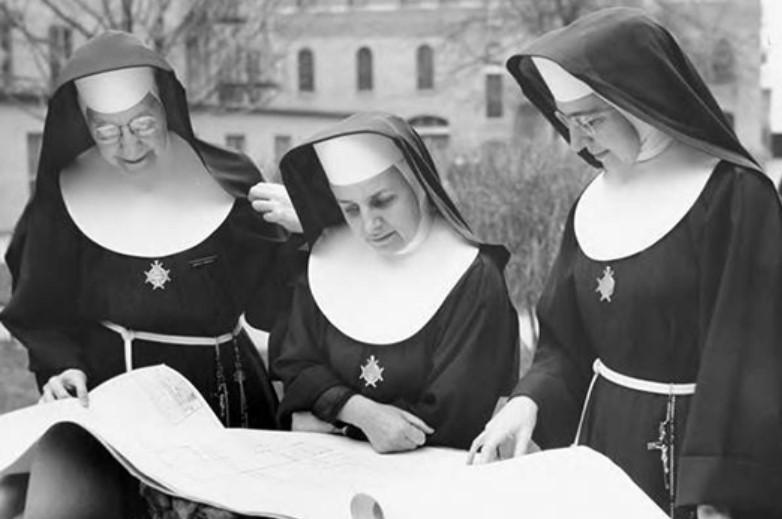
602, 130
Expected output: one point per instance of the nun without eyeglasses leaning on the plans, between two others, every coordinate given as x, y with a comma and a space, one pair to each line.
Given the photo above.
401, 332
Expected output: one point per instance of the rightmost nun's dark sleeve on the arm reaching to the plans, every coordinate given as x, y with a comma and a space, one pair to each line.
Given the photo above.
562, 368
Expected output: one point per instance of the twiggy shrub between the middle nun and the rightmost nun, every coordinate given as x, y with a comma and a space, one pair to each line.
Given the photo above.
520, 196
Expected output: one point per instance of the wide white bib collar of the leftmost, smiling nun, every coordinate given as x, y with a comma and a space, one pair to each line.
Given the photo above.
176, 210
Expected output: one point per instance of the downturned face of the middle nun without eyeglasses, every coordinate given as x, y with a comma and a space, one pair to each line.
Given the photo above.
383, 210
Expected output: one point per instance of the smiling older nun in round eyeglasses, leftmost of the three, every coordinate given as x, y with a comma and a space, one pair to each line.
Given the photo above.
140, 246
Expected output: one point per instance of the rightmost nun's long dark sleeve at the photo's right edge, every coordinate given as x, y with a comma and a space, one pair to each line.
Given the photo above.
732, 449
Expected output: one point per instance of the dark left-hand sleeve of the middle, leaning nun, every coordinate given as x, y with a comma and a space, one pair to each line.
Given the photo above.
300, 362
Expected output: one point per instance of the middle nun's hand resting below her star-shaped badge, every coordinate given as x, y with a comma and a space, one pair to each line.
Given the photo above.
388, 428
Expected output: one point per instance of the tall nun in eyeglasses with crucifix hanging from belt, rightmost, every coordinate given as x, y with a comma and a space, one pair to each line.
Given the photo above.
661, 337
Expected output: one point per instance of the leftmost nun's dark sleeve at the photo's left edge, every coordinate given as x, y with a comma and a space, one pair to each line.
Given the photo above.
43, 260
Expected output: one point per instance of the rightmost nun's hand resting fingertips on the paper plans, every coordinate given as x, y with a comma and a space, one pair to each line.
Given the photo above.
511, 427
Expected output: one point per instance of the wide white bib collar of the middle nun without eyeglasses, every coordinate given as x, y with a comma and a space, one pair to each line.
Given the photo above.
383, 299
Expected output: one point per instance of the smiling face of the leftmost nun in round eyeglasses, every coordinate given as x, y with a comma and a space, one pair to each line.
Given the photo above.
132, 139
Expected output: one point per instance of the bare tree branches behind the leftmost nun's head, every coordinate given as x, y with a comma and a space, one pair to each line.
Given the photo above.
225, 49
